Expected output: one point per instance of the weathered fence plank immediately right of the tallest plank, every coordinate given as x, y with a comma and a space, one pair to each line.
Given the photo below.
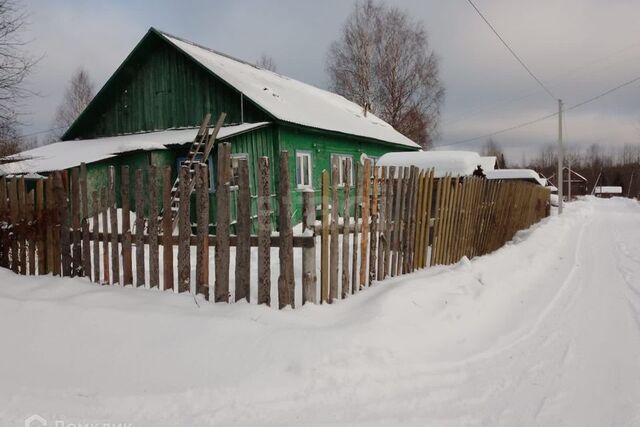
243, 249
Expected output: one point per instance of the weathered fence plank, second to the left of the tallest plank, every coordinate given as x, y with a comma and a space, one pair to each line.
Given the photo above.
184, 231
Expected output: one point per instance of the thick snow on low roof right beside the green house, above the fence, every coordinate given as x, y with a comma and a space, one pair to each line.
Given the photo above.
443, 162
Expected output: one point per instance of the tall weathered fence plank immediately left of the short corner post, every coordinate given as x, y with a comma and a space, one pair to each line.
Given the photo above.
286, 280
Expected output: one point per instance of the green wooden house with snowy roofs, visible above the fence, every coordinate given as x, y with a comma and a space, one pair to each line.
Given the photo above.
148, 111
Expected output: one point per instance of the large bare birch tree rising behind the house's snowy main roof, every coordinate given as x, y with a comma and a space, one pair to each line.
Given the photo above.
383, 62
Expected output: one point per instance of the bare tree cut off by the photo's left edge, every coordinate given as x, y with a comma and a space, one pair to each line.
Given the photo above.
15, 66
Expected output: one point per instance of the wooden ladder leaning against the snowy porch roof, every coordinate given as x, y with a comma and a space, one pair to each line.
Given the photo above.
198, 153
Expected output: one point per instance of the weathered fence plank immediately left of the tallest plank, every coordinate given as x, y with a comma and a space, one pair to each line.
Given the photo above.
202, 241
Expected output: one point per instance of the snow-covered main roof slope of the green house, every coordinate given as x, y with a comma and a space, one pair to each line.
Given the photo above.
291, 100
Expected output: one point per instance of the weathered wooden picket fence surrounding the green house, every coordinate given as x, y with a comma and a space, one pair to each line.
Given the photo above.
392, 222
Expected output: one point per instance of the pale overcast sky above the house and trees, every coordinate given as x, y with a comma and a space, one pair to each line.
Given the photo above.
577, 47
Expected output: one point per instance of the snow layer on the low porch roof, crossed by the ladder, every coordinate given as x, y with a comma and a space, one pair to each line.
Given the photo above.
68, 154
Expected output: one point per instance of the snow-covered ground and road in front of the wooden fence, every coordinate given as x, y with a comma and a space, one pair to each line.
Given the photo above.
545, 331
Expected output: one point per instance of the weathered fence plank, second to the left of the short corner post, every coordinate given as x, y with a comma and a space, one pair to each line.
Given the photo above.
264, 232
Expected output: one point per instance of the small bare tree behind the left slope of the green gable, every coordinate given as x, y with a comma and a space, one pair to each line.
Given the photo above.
76, 98
